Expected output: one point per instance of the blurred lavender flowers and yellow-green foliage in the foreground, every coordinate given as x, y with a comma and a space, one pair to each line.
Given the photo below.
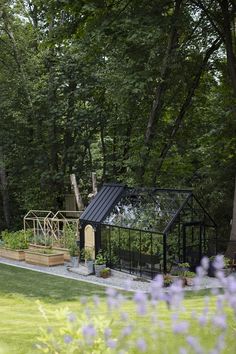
160, 321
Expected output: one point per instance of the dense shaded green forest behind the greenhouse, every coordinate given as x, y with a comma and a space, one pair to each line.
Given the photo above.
142, 92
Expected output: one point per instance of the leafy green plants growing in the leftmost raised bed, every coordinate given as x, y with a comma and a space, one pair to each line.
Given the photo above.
16, 240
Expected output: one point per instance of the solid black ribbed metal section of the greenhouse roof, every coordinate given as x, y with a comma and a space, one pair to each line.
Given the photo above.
102, 203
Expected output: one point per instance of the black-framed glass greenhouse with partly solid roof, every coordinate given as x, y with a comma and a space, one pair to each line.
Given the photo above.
148, 231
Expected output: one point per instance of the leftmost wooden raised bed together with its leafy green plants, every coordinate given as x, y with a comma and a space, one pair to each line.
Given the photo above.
14, 244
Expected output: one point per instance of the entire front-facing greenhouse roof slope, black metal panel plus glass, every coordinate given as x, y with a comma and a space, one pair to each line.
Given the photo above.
152, 210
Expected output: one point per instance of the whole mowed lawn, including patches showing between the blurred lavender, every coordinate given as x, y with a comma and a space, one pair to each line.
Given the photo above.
20, 318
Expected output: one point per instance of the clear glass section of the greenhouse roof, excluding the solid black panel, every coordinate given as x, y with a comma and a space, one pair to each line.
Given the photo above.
152, 210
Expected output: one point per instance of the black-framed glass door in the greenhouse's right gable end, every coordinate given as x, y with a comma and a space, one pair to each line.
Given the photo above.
193, 238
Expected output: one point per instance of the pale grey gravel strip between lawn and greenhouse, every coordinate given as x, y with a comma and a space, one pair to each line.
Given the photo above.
118, 279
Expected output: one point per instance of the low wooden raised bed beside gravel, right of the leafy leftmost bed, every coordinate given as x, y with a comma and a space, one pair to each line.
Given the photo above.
46, 259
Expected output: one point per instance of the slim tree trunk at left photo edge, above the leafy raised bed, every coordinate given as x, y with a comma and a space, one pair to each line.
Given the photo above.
4, 190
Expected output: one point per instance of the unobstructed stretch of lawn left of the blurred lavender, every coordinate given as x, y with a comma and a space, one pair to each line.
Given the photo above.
20, 318
